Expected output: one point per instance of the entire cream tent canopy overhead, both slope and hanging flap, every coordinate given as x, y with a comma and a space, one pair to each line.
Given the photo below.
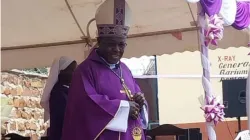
34, 32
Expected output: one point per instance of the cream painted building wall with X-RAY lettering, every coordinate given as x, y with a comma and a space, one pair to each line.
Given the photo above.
178, 98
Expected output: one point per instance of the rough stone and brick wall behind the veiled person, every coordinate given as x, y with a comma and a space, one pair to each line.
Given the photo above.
20, 104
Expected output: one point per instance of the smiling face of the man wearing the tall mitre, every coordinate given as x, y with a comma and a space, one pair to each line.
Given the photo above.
112, 48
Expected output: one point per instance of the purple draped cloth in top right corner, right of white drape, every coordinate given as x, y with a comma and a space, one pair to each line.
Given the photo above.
242, 19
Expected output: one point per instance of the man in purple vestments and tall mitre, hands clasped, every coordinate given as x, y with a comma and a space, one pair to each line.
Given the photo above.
104, 101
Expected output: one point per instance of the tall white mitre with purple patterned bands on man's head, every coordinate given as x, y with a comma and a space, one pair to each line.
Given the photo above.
113, 18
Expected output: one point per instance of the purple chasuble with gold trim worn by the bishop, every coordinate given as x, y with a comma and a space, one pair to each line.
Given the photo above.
93, 101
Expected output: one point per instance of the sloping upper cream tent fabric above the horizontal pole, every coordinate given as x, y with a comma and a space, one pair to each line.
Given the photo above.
29, 22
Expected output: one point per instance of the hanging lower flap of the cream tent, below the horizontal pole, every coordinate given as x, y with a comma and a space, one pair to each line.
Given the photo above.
137, 46
